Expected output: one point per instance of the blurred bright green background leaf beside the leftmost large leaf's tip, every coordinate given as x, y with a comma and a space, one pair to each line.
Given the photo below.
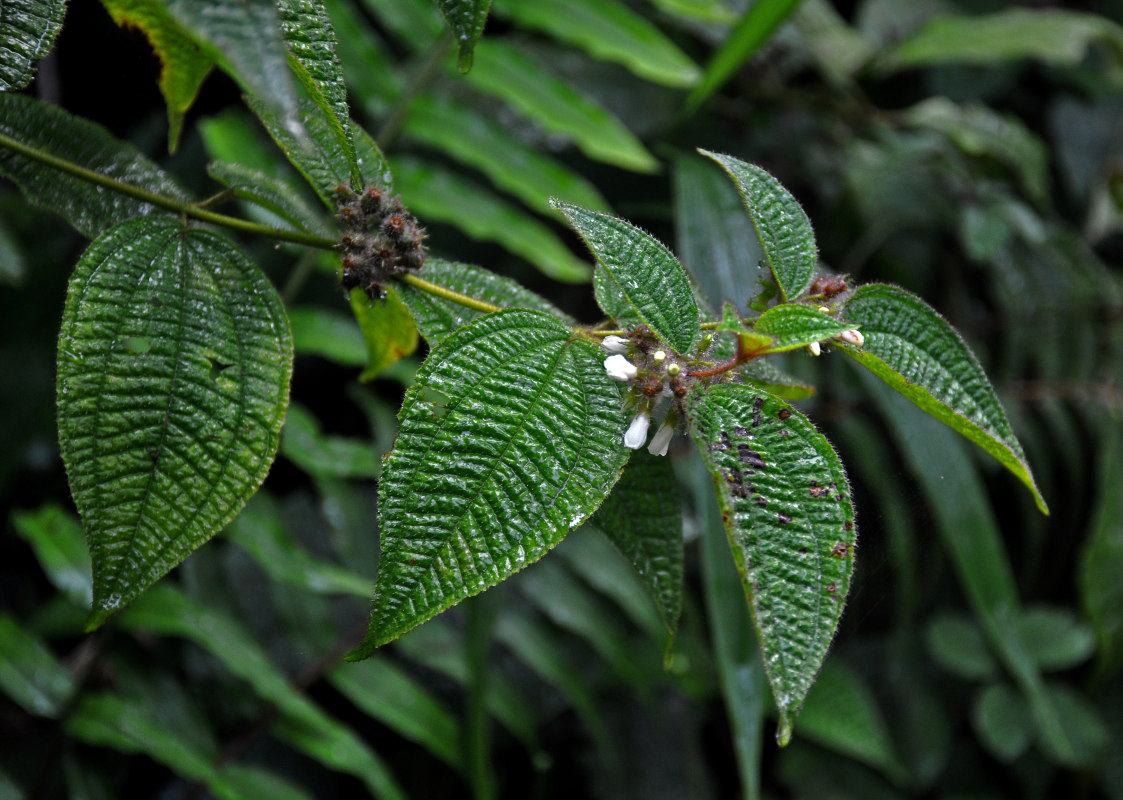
57, 538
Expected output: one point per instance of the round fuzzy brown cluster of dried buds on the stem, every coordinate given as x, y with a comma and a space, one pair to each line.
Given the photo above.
381, 239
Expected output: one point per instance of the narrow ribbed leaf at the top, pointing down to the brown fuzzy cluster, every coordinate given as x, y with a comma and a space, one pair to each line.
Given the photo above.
312, 40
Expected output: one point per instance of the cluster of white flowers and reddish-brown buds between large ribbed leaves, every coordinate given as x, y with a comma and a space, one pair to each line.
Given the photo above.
654, 375
